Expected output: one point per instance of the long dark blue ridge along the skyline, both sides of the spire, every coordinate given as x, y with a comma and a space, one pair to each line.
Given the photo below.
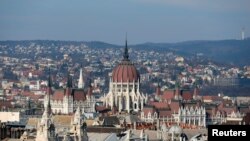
235, 52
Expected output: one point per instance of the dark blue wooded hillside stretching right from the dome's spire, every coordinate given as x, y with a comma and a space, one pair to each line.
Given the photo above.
236, 52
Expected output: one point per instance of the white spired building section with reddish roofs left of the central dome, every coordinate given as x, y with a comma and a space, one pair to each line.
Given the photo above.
67, 100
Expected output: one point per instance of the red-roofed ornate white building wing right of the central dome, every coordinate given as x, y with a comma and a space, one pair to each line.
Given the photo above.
176, 106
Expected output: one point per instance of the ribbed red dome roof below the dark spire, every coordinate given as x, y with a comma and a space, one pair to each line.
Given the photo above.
125, 72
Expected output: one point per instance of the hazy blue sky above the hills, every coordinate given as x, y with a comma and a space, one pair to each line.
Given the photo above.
164, 21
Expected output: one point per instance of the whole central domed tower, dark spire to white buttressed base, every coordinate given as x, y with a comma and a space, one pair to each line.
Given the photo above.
124, 87
